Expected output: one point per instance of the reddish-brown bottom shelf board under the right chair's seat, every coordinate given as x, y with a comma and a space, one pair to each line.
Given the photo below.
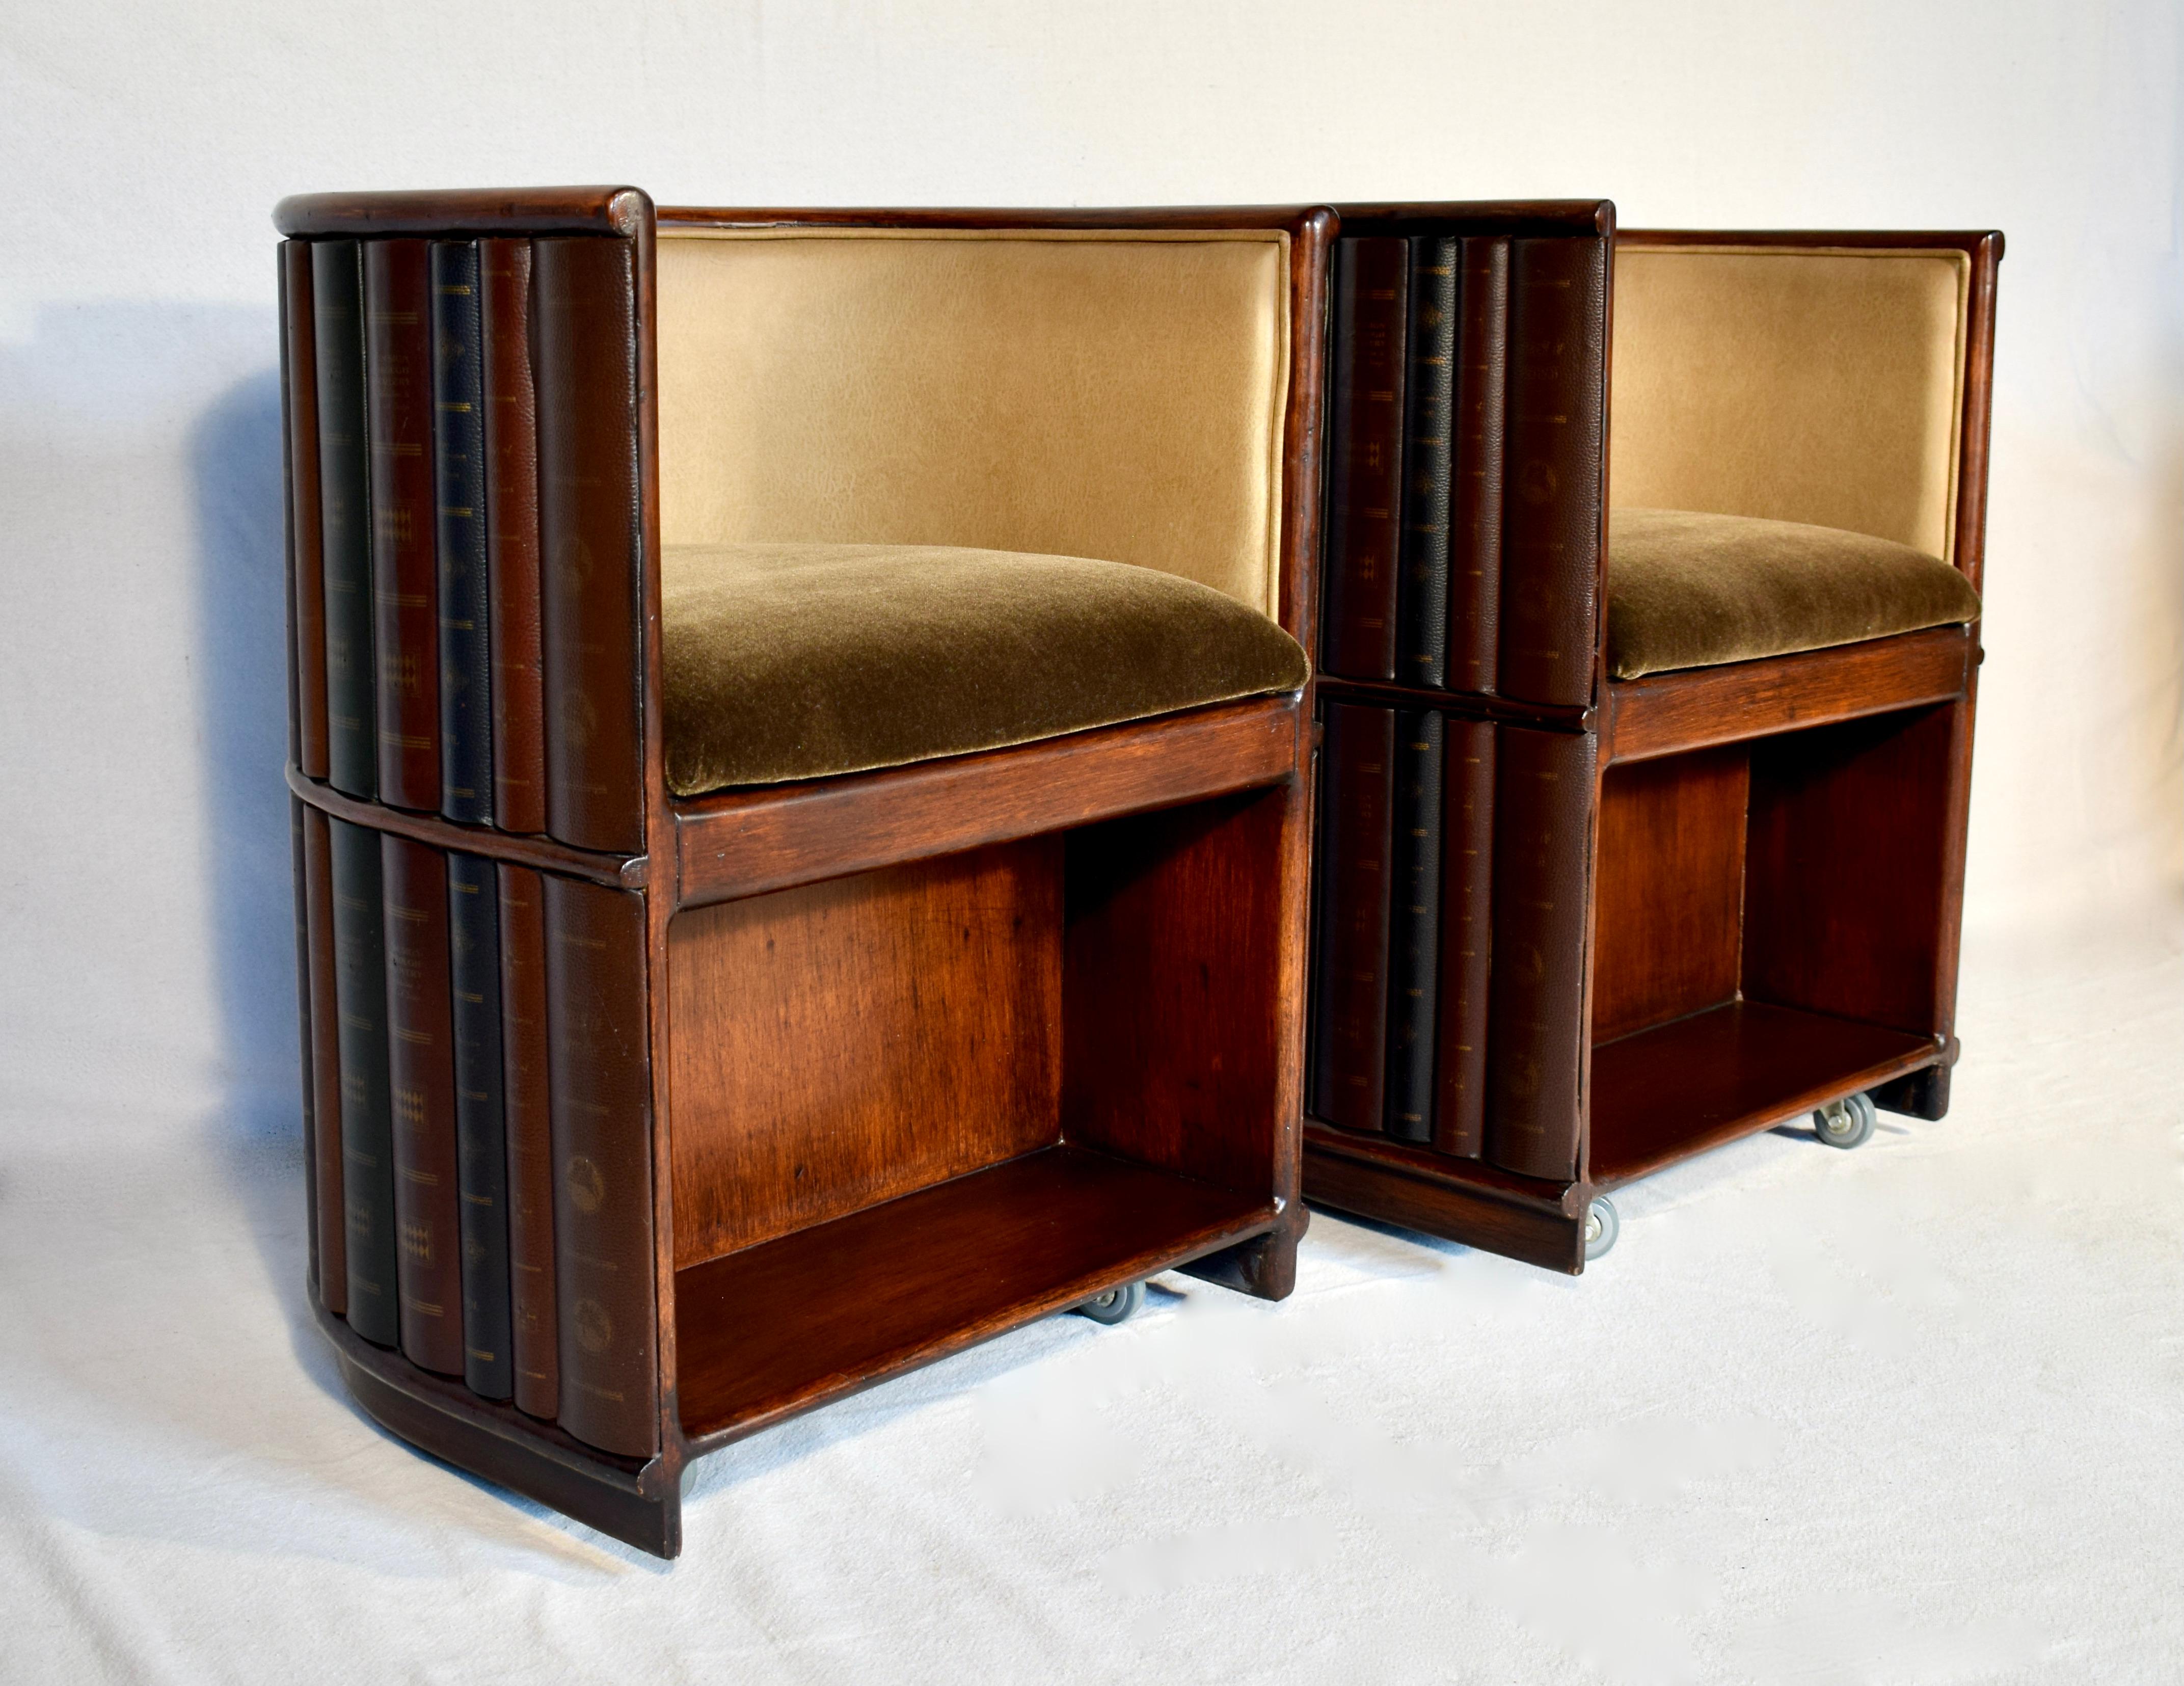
1678, 1089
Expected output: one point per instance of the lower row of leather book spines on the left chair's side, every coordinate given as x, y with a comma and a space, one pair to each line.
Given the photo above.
477, 1082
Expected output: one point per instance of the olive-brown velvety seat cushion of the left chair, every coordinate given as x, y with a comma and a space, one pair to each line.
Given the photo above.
807, 661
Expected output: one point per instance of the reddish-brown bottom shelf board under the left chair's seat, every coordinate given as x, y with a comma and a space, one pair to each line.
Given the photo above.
844, 1305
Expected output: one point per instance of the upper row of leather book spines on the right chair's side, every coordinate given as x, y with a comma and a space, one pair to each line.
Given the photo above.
1464, 475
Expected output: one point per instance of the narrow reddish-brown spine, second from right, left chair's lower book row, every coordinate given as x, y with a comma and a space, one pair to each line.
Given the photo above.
530, 1113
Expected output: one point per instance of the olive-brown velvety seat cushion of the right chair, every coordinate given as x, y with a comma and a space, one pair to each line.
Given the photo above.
1692, 591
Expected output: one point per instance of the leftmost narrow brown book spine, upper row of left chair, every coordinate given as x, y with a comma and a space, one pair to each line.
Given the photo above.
307, 560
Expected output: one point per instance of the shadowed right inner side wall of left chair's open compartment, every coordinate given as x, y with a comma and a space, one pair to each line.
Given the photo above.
1178, 1006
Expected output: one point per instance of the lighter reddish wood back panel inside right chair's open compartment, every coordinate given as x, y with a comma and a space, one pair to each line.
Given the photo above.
1670, 914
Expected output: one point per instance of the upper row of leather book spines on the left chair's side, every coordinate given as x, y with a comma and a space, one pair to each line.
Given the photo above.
464, 530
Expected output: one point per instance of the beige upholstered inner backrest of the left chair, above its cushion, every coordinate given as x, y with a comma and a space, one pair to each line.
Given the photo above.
1106, 396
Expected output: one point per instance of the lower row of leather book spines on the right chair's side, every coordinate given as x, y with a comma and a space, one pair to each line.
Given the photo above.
1449, 988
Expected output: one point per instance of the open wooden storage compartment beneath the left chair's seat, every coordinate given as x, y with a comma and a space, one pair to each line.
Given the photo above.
923, 1104
